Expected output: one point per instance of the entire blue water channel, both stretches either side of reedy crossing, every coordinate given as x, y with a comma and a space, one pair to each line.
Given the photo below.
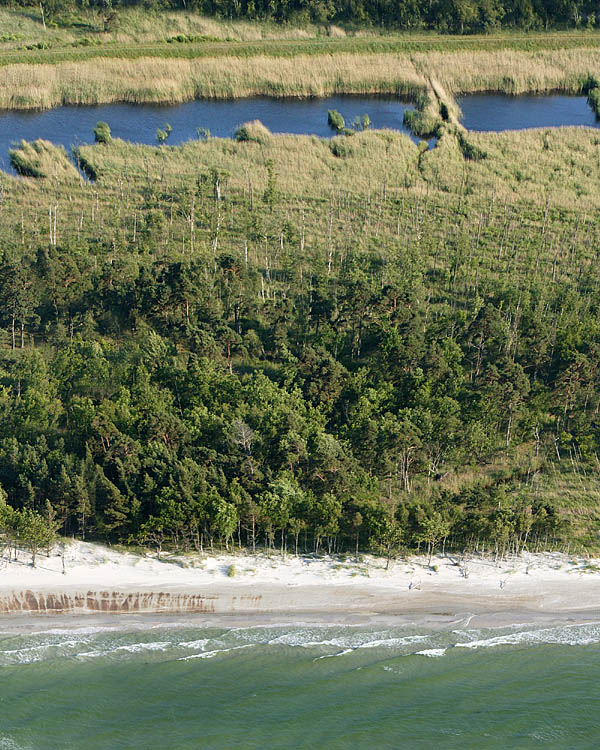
138, 123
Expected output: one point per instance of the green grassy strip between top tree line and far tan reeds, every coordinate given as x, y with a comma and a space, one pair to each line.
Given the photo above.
142, 34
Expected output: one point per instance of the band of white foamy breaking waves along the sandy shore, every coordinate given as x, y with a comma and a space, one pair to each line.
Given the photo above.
321, 641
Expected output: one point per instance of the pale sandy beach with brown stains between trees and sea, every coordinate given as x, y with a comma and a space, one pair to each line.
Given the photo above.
548, 588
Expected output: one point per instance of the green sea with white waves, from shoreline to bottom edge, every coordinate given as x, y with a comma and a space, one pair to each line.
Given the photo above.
301, 686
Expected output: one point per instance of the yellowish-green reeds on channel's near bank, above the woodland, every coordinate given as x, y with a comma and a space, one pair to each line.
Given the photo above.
534, 167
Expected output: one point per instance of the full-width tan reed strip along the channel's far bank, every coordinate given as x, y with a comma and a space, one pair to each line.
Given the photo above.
171, 80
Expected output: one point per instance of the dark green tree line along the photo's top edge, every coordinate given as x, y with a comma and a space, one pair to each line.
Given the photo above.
446, 16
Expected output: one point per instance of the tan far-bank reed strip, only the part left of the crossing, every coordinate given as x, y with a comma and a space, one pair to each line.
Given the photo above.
160, 80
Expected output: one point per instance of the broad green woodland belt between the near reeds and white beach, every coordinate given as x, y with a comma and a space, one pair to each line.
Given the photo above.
199, 363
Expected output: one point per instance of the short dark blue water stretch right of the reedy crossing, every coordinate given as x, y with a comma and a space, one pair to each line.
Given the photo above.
496, 112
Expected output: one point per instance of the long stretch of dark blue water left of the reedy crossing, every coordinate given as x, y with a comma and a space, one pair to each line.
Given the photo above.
138, 122
